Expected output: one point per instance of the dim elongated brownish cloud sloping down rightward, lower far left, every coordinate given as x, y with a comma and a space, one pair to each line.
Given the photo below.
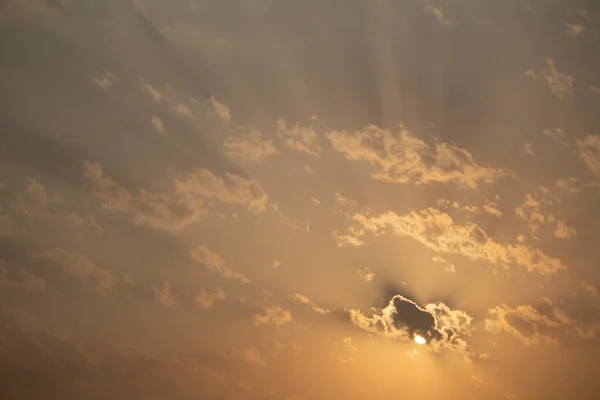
79, 266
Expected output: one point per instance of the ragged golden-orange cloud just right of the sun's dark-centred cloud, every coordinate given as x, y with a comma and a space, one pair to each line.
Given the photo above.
526, 323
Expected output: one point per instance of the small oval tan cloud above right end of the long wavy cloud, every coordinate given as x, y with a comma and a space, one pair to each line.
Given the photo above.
249, 146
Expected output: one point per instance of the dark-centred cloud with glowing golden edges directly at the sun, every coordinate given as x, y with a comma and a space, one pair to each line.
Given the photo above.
403, 319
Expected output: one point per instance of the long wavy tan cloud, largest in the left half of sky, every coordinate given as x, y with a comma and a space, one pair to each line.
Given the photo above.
186, 203
